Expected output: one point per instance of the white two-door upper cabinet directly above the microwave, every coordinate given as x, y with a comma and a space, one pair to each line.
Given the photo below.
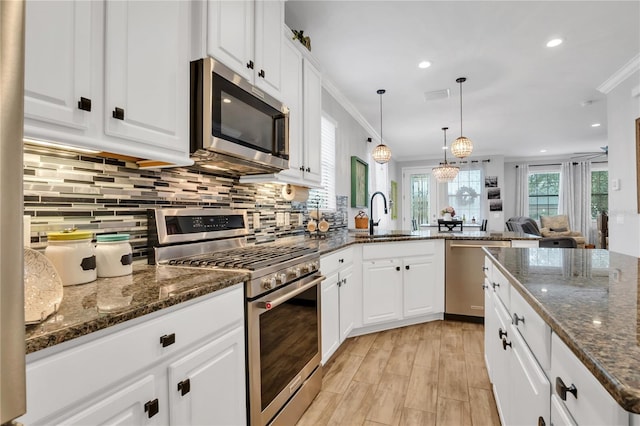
246, 37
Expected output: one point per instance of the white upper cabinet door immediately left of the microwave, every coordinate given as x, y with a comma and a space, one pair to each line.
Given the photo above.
147, 72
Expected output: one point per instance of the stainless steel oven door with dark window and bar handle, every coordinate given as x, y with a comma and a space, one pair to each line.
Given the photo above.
283, 333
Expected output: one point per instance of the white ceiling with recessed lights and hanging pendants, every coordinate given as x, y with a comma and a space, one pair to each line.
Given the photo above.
520, 96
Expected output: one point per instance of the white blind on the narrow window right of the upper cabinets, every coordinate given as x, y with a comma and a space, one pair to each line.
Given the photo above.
326, 196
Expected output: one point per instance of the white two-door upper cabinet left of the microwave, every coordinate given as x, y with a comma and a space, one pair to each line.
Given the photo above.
103, 76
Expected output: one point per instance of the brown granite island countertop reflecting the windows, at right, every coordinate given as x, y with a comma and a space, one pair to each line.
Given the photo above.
590, 299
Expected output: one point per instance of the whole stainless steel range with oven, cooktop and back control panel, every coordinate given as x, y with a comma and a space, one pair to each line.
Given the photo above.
283, 302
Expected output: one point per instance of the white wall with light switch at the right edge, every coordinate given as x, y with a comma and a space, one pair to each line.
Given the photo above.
623, 107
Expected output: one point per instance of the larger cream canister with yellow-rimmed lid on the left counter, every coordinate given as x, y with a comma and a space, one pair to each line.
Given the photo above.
72, 254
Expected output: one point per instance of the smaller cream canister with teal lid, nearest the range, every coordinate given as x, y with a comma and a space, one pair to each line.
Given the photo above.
114, 256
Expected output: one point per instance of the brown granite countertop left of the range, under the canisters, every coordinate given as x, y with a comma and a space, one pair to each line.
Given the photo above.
94, 306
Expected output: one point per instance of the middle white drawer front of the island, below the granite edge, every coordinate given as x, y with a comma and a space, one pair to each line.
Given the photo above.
533, 329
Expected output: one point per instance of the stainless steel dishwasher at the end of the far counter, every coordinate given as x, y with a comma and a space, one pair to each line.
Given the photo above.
464, 277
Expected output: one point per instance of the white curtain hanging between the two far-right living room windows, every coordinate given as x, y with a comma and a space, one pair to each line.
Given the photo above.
575, 196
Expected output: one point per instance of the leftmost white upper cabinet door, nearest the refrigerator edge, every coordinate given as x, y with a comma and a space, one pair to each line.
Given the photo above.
58, 67
